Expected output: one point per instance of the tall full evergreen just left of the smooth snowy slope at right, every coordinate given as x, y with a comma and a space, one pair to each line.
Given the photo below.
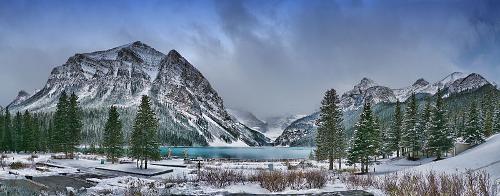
440, 138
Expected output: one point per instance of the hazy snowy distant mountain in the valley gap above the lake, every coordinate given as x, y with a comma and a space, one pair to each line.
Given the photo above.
271, 127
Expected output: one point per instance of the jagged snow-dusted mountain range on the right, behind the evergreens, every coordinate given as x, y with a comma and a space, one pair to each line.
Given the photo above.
302, 131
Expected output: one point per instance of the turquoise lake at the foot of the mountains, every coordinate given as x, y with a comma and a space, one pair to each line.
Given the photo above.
253, 153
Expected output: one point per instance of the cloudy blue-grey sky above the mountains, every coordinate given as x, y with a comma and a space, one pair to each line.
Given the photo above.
268, 57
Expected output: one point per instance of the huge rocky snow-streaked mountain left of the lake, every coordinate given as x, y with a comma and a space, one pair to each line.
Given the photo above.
188, 107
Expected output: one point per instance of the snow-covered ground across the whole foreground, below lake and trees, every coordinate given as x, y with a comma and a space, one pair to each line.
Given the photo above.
184, 179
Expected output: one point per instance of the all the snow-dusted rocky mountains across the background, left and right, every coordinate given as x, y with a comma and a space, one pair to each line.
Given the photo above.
189, 109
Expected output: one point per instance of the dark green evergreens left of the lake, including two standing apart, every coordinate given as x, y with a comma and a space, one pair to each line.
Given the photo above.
62, 131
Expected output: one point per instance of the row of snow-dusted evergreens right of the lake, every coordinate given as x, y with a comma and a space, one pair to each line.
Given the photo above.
414, 132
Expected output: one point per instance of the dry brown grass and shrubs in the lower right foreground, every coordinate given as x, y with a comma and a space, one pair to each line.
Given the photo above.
424, 184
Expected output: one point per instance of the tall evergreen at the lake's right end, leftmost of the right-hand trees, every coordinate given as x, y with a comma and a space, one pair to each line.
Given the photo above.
330, 139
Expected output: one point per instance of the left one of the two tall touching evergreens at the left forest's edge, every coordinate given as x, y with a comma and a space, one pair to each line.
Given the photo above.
59, 131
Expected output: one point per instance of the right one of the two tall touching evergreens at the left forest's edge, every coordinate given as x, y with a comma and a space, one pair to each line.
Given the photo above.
74, 124
